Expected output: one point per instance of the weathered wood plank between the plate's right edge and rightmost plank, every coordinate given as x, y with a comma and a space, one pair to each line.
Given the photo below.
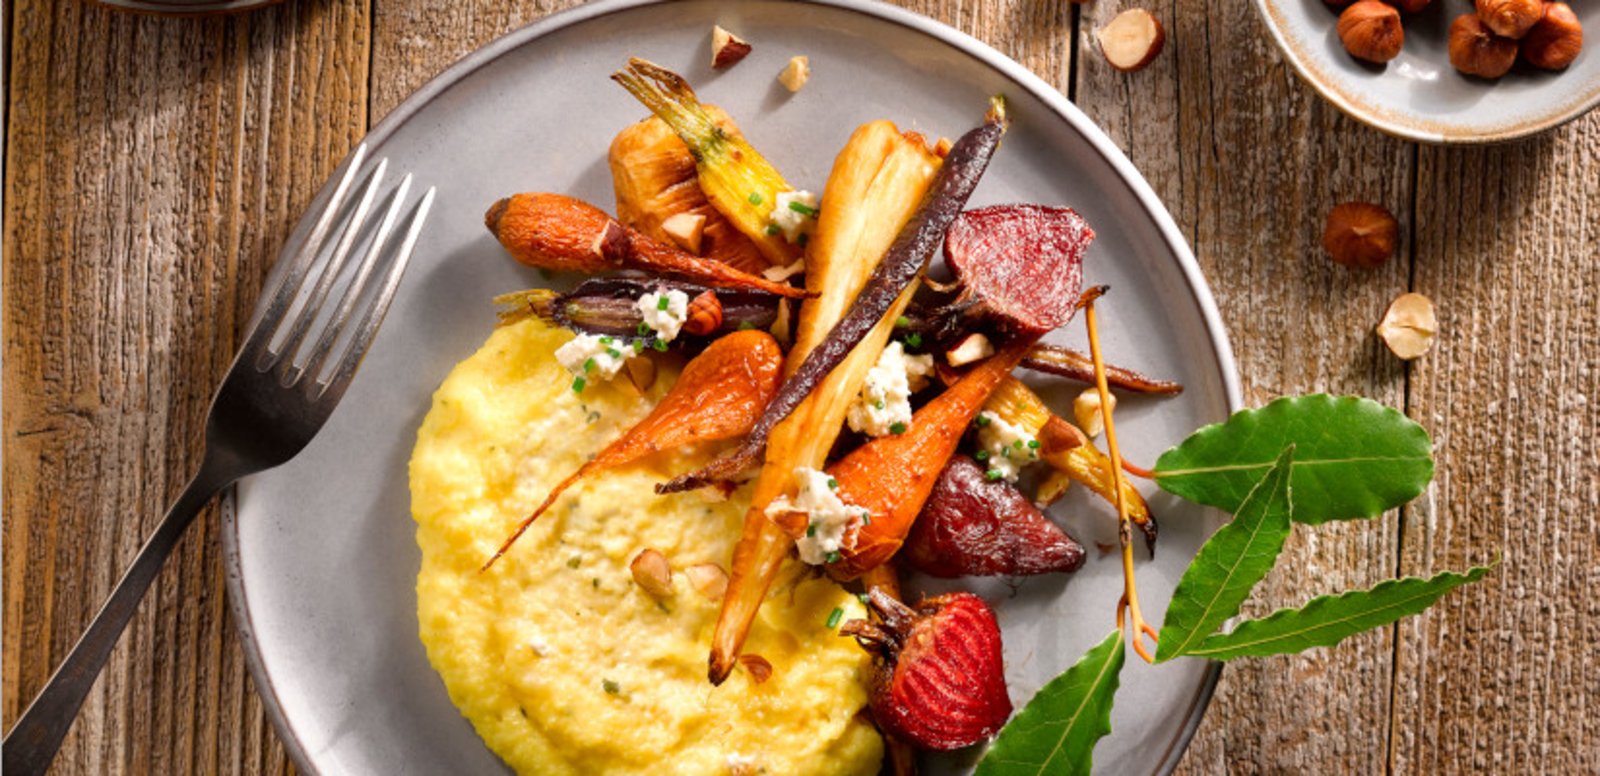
1250, 162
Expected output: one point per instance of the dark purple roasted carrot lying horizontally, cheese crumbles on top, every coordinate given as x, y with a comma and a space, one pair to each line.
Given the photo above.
610, 306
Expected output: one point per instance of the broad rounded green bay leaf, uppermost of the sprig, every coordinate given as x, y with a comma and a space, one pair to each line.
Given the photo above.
1354, 458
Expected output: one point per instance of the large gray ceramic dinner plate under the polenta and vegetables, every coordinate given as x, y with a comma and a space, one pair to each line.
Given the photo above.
321, 553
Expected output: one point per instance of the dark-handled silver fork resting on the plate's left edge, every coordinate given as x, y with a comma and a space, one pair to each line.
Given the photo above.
271, 404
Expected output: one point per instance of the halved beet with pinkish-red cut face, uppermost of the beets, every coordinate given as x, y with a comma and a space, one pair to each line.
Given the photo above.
1039, 289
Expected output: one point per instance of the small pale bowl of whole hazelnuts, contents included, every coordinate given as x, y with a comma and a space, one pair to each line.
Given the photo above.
1446, 71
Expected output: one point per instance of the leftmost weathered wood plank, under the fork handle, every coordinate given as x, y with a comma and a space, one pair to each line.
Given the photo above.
156, 166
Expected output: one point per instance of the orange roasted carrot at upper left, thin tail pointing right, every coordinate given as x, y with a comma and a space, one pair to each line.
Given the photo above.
553, 231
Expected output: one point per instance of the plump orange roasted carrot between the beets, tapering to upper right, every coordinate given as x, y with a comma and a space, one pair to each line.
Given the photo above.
894, 476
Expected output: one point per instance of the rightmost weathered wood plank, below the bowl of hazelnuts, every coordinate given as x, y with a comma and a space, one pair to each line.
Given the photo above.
1503, 676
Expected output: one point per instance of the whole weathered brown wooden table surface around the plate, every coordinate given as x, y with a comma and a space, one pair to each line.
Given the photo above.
156, 166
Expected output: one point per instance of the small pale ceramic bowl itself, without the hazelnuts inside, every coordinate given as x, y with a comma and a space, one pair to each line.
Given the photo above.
1418, 95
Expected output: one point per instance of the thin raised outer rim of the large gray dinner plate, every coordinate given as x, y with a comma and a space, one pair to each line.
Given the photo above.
486, 55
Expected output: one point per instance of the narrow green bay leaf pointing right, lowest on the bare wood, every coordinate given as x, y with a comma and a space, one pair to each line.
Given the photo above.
1329, 620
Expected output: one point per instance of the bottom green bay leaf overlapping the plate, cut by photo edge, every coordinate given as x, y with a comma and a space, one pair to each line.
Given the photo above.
1057, 732
